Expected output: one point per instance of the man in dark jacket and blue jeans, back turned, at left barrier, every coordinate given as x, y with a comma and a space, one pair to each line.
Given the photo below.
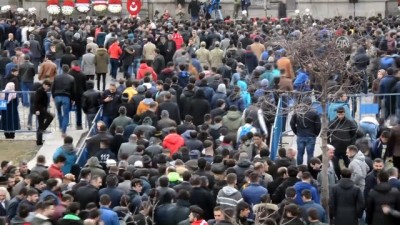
63, 91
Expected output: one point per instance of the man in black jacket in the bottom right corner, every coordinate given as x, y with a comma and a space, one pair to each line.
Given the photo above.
382, 194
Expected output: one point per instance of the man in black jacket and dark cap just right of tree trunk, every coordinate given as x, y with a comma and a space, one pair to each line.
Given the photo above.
342, 133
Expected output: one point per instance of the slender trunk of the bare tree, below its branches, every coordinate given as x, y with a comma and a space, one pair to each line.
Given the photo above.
324, 143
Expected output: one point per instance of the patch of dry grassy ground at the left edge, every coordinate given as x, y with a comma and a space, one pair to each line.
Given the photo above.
18, 150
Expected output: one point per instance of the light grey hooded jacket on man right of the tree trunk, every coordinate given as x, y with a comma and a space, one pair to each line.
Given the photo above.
359, 170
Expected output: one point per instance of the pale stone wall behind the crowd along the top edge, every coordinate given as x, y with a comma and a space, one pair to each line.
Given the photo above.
319, 8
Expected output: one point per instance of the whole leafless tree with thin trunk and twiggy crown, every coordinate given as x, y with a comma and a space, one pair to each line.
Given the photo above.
319, 54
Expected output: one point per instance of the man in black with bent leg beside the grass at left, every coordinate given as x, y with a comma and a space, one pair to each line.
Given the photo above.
41, 105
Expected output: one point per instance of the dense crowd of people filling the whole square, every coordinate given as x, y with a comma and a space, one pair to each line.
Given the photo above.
183, 137
